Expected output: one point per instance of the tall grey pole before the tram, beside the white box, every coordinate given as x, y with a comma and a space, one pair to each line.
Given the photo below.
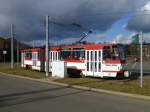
47, 45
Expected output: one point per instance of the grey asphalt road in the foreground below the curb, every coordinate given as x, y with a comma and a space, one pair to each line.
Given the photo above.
21, 95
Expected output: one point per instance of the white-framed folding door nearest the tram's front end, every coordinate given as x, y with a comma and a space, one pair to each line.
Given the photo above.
93, 62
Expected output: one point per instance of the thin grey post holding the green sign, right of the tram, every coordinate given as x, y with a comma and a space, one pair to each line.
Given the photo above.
141, 59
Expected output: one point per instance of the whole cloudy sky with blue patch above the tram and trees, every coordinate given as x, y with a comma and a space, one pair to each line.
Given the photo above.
110, 20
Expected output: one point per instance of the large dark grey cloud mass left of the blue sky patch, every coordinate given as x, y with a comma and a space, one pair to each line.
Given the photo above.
29, 15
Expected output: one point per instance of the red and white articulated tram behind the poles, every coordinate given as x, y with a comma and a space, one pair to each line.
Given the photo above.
97, 60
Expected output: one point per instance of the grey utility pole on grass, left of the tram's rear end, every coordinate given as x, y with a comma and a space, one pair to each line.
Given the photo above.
12, 46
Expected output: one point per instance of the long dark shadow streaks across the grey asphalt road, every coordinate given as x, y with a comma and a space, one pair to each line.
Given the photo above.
33, 96
